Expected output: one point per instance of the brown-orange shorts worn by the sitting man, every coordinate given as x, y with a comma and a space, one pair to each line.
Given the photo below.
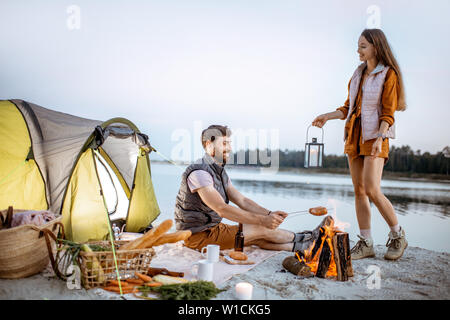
221, 234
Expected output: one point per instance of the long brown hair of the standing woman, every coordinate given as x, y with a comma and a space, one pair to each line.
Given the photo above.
384, 55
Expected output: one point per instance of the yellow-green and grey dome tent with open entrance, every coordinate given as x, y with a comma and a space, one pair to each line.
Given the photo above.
76, 167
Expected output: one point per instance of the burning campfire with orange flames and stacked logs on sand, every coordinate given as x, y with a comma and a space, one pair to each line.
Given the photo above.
328, 256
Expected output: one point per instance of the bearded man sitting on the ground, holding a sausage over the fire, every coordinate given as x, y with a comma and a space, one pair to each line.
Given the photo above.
203, 198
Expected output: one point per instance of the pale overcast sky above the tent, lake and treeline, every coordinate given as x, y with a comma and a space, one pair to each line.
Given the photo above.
264, 68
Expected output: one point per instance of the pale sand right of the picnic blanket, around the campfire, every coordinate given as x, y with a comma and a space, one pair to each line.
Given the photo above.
420, 274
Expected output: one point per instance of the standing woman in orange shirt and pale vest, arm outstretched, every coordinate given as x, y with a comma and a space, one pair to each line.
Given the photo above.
375, 92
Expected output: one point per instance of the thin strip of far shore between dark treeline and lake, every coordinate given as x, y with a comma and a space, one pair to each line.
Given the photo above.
402, 176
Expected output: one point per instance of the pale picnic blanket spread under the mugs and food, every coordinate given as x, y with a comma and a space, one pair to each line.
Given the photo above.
177, 257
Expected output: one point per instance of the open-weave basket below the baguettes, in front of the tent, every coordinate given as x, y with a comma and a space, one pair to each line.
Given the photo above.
128, 262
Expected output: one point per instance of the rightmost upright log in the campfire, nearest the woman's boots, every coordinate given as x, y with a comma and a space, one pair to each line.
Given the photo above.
342, 256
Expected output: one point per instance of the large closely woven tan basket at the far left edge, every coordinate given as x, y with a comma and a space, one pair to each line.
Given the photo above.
23, 249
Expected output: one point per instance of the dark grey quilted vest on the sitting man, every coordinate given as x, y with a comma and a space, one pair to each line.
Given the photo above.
190, 211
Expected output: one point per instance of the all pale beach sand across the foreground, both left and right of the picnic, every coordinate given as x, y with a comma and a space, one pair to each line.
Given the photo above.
419, 274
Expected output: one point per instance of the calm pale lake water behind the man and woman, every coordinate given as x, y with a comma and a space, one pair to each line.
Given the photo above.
422, 207
